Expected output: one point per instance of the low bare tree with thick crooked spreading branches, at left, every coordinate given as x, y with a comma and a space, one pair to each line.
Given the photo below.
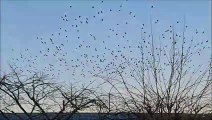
39, 97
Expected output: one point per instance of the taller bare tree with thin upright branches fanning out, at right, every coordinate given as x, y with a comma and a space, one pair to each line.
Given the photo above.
167, 83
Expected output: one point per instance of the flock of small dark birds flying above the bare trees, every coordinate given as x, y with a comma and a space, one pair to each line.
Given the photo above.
101, 49
